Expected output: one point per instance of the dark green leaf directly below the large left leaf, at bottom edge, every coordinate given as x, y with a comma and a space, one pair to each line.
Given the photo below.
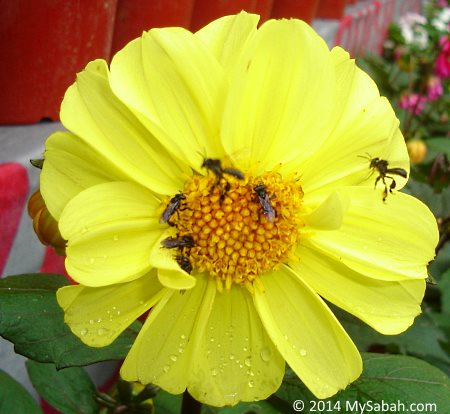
69, 390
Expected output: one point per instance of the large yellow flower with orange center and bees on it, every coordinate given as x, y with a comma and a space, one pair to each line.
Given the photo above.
243, 148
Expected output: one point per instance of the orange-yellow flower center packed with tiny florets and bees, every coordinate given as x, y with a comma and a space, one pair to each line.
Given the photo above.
238, 229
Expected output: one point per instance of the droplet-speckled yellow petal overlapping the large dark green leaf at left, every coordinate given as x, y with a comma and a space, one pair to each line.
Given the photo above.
98, 315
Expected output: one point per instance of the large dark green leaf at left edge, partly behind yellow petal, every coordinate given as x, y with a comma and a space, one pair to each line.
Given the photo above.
31, 318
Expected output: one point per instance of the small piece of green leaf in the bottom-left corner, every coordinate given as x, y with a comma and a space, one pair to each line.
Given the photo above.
14, 398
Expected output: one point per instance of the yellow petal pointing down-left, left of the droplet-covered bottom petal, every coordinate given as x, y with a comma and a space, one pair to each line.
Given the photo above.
162, 353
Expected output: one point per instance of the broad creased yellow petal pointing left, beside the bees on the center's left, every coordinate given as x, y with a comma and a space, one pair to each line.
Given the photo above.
111, 229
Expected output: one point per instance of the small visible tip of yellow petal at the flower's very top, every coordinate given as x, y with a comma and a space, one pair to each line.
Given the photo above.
226, 37
